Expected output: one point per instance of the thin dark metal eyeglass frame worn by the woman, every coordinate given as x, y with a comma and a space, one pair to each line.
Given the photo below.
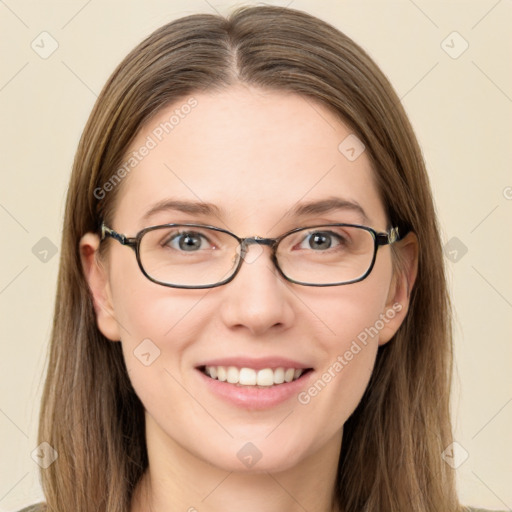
379, 238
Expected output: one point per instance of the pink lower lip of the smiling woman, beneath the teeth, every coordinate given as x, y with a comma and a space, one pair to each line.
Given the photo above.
251, 397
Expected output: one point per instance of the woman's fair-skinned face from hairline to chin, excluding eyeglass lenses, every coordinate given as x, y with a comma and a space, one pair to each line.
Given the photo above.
255, 156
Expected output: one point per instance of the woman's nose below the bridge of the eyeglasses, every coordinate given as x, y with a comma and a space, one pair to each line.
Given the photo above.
258, 299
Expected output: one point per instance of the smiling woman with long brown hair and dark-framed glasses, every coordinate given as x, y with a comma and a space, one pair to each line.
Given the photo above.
252, 310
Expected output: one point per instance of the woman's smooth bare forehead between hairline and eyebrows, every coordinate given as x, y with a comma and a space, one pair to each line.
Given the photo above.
254, 154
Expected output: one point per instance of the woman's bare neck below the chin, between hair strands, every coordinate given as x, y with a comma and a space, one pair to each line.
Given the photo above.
178, 480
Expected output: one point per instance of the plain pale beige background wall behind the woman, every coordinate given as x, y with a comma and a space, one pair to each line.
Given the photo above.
460, 107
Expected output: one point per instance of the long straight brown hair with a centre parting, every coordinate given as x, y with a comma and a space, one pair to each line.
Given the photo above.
392, 444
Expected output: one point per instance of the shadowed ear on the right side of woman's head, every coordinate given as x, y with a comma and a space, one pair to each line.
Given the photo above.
404, 277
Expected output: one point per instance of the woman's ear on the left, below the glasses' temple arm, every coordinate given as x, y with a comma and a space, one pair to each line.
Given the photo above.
96, 275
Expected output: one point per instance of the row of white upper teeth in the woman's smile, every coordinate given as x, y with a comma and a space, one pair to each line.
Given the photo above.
249, 377
